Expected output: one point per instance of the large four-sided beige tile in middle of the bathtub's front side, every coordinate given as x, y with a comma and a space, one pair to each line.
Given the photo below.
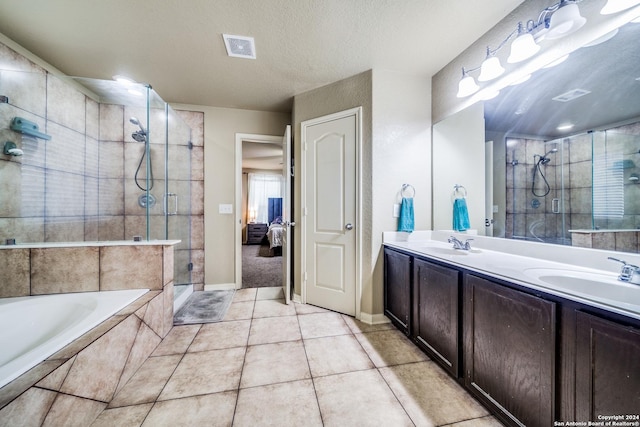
96, 372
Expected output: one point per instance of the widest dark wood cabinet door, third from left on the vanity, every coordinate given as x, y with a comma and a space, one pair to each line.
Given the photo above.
509, 339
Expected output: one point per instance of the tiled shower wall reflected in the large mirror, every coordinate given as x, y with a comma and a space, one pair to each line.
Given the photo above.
570, 167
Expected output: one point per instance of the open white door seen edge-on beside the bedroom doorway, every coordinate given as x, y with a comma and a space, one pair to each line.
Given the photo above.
286, 215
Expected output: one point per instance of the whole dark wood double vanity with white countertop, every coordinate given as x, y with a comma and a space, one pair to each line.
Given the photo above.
532, 352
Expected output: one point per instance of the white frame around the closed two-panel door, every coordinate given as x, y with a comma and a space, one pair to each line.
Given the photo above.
357, 112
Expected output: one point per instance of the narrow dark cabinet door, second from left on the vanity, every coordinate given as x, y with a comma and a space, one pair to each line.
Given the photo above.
436, 291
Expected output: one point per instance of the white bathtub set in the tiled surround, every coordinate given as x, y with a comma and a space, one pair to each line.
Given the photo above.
33, 328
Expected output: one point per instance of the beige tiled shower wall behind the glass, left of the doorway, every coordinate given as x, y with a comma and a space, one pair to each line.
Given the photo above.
79, 185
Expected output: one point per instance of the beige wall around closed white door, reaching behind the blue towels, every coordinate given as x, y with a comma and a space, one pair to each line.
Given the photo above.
395, 150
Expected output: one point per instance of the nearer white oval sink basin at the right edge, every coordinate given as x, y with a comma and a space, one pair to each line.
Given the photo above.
601, 286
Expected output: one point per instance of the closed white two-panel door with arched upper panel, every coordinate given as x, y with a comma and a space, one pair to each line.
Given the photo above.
330, 212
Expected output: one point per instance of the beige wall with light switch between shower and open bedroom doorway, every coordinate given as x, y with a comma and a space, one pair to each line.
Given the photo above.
220, 128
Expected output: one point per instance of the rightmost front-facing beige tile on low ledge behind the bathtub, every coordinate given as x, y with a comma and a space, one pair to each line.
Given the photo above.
130, 267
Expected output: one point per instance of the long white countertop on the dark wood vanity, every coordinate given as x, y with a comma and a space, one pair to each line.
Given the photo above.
578, 274
